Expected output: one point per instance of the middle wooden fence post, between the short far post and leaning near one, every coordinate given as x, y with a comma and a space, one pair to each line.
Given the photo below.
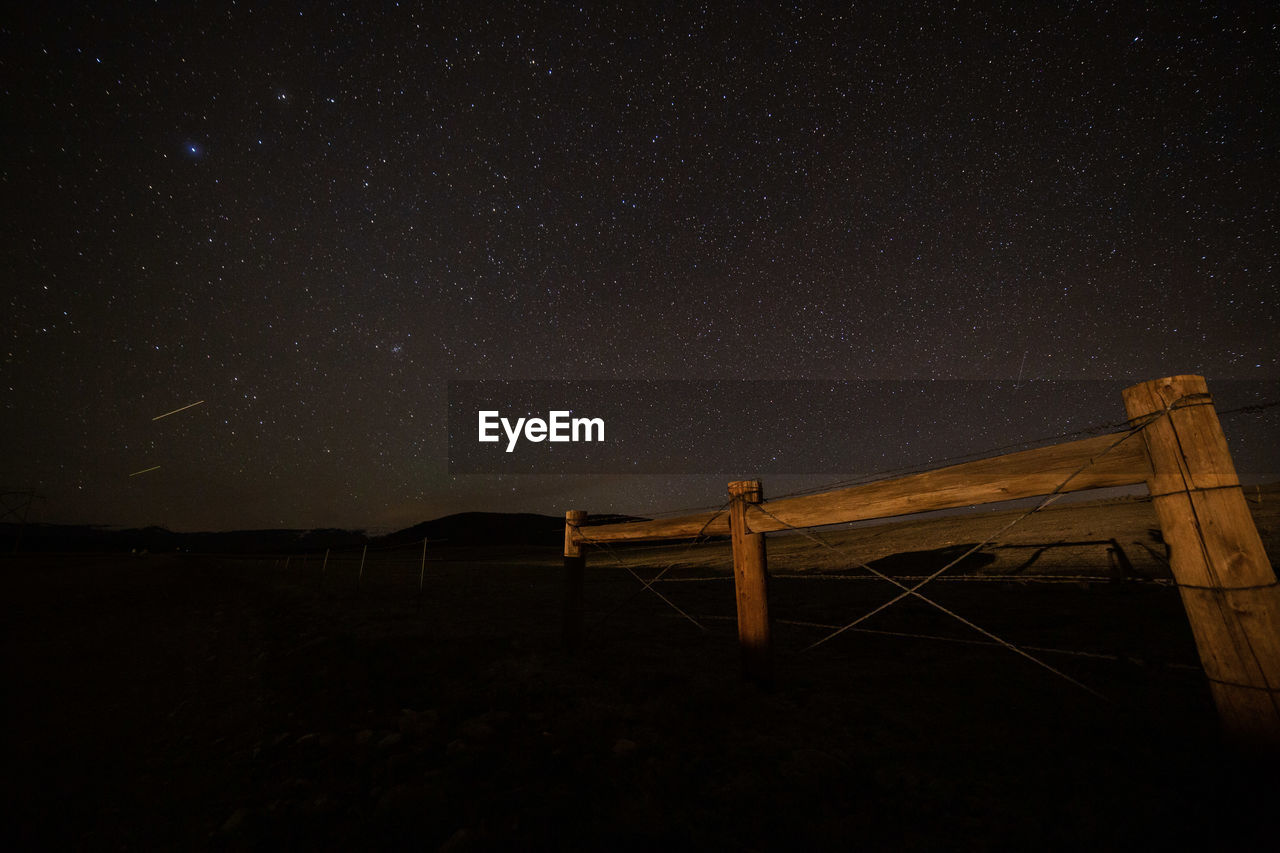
751, 582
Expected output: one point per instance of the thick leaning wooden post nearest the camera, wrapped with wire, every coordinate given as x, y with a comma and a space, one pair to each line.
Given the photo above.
1223, 573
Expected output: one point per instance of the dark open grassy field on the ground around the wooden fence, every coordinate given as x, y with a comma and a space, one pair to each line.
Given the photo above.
227, 704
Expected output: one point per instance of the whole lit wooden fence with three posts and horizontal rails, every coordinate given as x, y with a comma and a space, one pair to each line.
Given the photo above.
1174, 445
